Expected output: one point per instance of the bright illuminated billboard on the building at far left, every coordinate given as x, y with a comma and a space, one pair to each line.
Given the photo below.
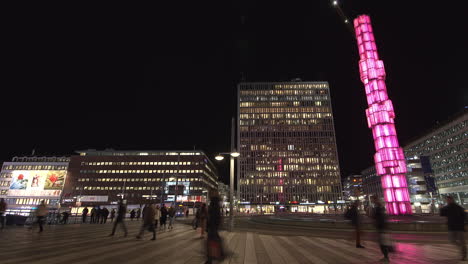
37, 183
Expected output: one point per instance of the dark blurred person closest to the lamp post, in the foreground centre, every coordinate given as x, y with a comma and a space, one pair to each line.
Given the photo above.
214, 242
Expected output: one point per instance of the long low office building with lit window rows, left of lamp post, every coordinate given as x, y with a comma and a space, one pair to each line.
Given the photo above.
139, 176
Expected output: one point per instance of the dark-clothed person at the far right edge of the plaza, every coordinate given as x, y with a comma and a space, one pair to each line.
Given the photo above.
456, 224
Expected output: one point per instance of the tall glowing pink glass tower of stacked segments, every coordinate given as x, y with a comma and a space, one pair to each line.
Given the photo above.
389, 159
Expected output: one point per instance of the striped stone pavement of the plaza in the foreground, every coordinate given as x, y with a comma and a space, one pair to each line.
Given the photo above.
89, 243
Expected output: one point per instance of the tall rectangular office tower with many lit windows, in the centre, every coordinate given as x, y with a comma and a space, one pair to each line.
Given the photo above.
288, 150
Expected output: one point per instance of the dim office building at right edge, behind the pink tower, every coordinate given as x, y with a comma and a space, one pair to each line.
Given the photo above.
447, 149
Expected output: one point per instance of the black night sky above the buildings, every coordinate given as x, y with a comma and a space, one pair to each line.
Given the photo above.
165, 77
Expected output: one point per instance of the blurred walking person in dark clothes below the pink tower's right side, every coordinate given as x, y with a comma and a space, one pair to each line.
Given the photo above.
380, 222
